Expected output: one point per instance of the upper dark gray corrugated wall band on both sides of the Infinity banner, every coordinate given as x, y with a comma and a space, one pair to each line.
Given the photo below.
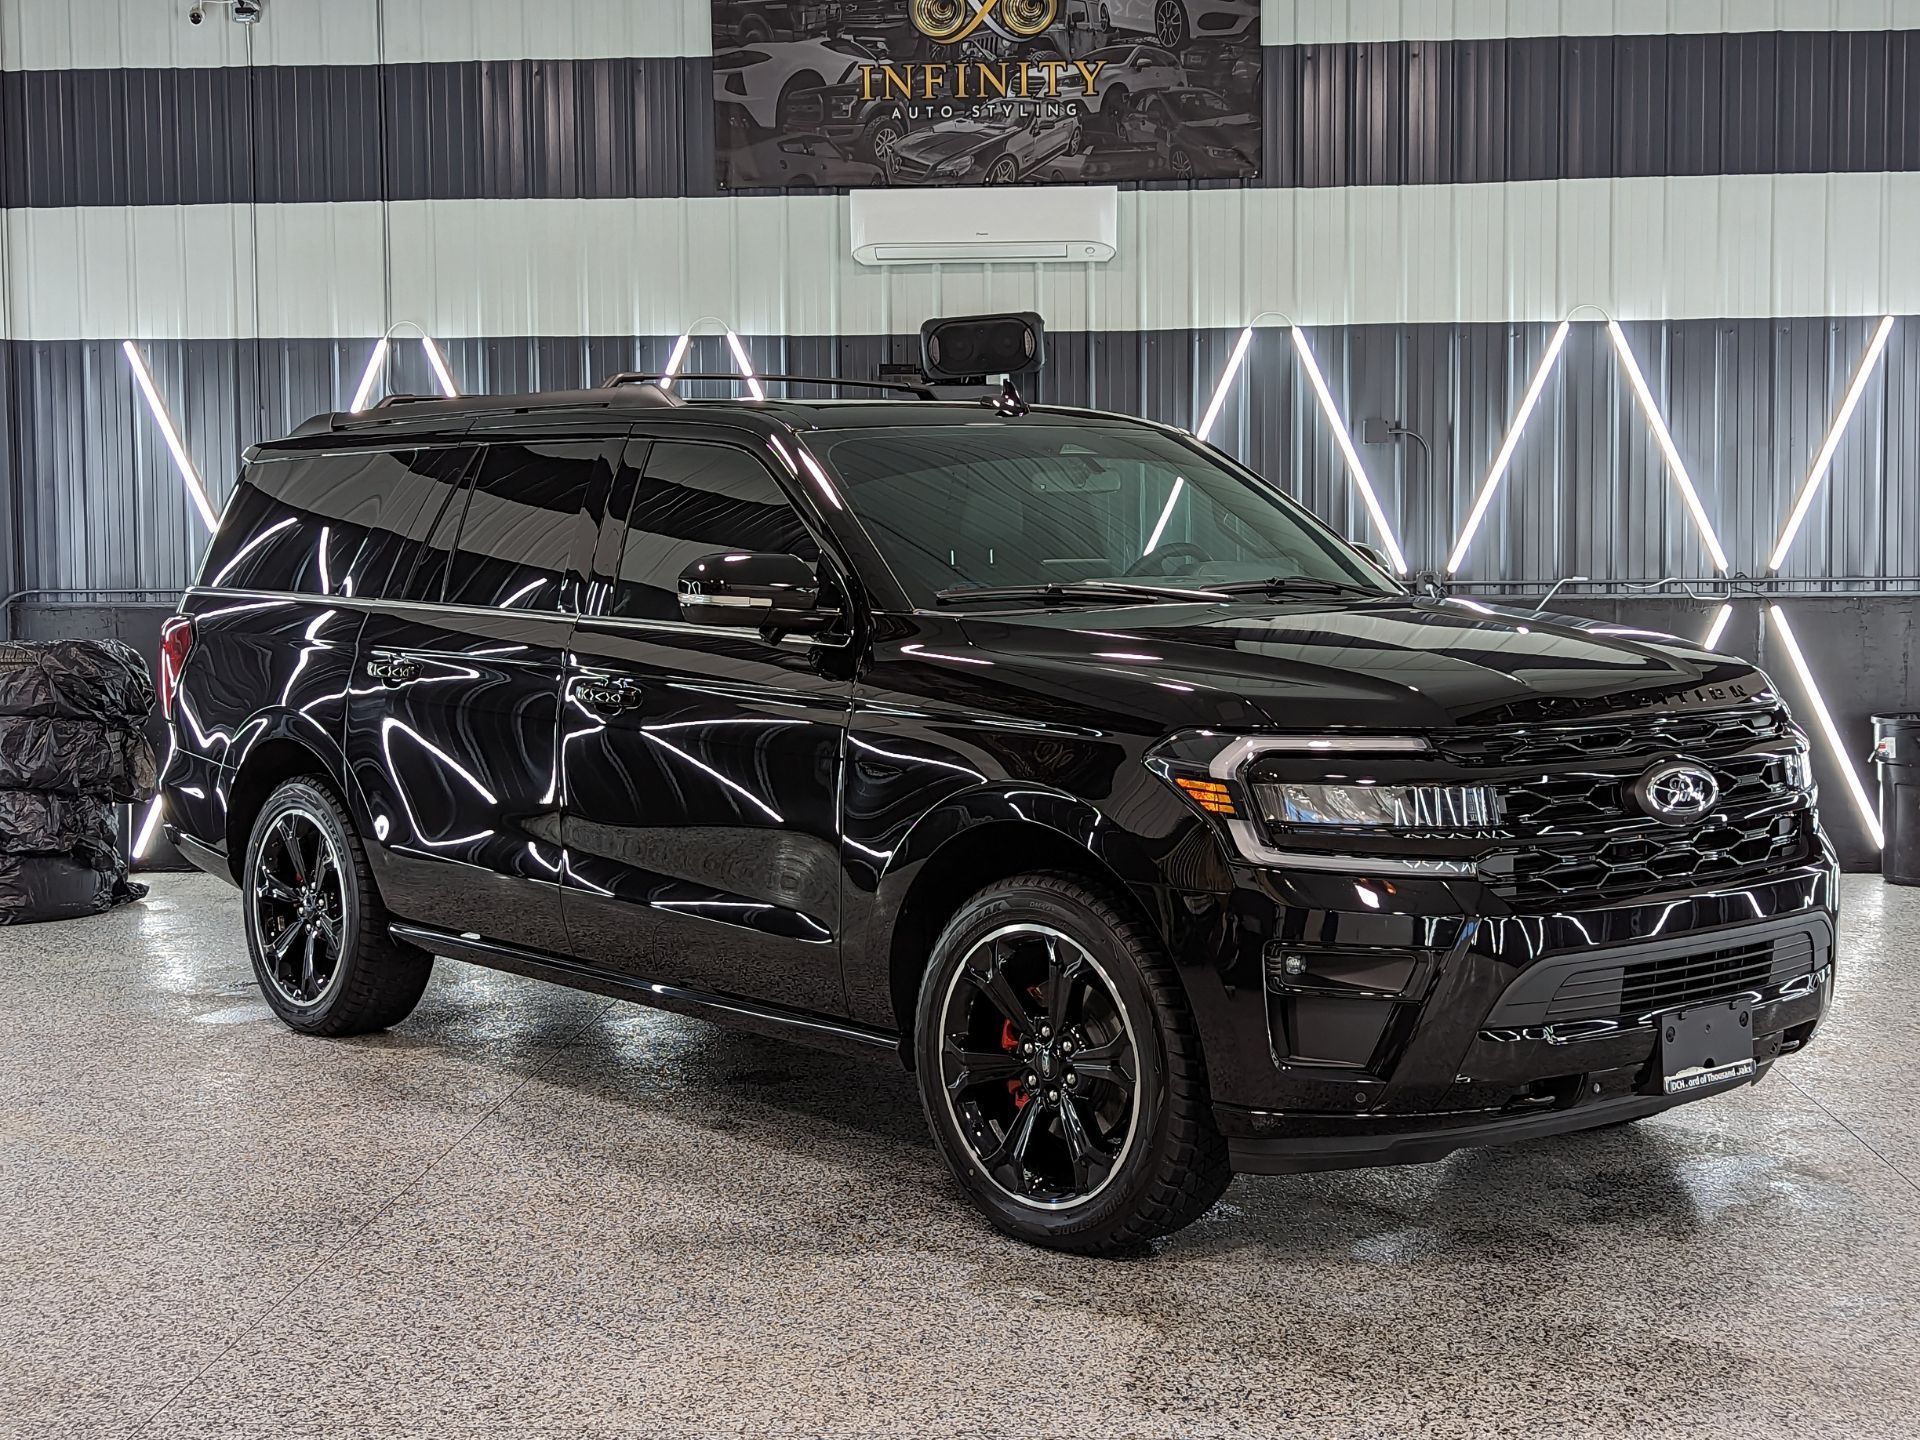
1431, 112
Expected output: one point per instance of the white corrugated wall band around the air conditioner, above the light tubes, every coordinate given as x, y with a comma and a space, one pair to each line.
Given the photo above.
1644, 249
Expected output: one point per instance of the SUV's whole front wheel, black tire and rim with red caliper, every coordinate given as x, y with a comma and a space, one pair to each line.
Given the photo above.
1149, 1161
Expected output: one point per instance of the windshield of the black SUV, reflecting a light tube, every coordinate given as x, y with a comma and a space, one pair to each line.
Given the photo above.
1019, 504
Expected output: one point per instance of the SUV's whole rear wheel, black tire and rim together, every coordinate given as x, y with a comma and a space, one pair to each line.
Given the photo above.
316, 926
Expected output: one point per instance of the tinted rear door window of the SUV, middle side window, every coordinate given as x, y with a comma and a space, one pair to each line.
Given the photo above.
521, 525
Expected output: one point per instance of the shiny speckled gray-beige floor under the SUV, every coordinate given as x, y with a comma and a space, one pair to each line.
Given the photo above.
531, 1212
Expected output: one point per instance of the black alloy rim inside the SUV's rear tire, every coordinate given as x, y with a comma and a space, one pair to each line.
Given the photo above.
299, 907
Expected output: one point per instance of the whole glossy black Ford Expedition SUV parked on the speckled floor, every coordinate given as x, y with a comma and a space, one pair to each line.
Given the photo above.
1157, 828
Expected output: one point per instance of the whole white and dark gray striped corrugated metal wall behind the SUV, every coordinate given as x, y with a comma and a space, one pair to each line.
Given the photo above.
258, 206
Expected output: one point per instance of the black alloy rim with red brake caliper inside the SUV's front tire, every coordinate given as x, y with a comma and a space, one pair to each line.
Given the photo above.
1038, 1067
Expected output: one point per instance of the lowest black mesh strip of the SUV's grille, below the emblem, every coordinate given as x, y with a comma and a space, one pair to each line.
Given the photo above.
1723, 850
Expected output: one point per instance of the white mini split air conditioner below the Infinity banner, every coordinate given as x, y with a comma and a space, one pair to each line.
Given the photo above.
980, 226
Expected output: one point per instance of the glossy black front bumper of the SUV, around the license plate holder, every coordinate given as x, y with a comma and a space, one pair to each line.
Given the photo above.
1368, 1022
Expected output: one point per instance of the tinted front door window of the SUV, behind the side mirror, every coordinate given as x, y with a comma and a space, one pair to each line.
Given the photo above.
690, 502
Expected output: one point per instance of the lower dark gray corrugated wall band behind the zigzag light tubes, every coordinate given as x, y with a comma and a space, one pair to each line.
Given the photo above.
99, 502
